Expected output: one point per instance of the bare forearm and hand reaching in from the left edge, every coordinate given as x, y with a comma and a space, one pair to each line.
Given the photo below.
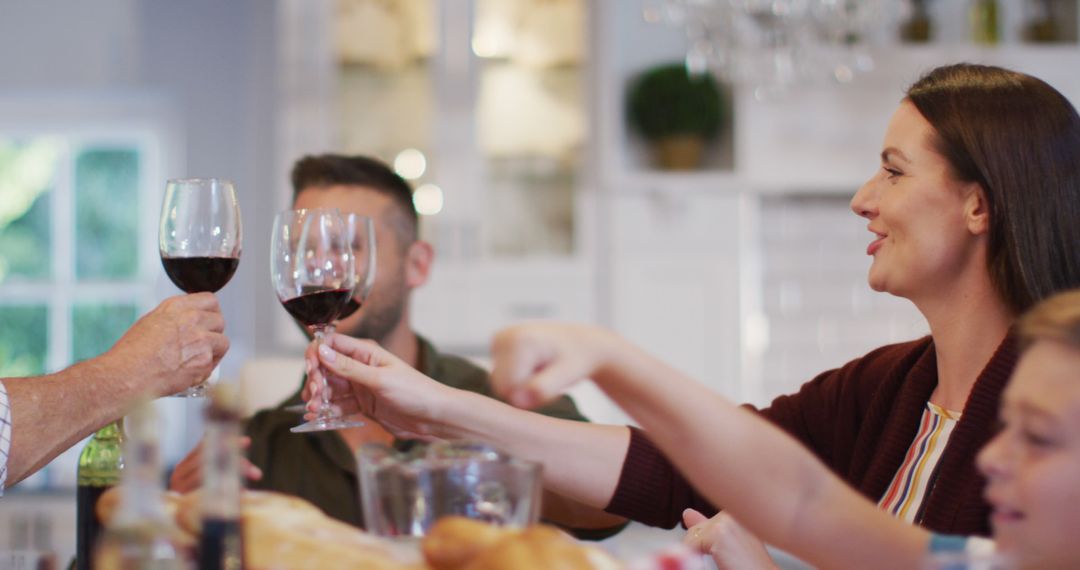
171, 348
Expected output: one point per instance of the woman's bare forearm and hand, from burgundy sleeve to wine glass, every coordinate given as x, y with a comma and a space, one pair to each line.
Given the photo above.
582, 462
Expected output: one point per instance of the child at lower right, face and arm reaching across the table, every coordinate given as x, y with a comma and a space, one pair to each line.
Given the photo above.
787, 495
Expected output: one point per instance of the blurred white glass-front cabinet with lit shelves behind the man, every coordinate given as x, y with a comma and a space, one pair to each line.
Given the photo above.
482, 106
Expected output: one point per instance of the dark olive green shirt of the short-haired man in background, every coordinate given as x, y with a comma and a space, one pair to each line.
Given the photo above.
320, 468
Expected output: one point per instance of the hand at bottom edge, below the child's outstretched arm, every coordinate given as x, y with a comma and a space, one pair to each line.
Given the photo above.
723, 538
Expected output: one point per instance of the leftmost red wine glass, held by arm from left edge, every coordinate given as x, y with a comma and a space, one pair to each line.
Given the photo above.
199, 238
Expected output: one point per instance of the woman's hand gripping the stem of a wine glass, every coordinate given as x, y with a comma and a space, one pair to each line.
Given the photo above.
366, 378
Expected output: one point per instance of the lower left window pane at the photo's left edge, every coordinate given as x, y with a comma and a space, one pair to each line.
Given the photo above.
23, 341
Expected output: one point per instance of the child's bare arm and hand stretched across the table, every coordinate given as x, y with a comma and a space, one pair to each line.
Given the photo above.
766, 480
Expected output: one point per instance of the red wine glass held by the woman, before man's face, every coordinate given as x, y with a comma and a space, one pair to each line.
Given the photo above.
314, 273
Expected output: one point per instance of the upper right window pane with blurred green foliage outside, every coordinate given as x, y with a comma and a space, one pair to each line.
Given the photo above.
106, 187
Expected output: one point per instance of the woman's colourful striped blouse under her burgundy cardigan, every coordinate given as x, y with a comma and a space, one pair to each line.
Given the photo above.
910, 486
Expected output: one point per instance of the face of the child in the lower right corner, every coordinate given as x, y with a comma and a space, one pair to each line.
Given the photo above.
1033, 467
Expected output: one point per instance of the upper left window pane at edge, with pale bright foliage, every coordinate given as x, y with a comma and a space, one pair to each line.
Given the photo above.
28, 174
